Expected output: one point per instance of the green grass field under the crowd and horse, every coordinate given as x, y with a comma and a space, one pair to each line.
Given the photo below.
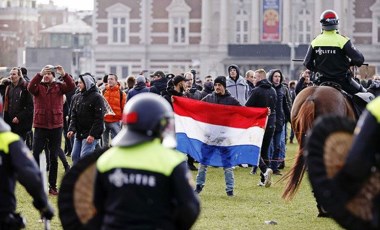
248, 209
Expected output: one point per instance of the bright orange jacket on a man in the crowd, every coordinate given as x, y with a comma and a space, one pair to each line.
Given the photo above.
112, 95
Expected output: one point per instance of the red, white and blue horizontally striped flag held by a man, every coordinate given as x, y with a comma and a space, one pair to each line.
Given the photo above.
219, 135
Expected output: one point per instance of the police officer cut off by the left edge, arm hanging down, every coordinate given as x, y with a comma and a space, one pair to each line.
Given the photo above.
16, 161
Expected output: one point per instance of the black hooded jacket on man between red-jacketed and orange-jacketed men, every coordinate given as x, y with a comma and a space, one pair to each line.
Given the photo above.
87, 115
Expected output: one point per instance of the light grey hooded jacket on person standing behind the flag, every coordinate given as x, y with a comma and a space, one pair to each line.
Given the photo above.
239, 88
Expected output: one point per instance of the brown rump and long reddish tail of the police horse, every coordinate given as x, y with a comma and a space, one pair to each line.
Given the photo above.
309, 104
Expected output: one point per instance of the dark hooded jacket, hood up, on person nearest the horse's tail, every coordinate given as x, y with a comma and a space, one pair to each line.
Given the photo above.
282, 104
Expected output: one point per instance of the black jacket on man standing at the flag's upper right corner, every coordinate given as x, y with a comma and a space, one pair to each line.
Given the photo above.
264, 96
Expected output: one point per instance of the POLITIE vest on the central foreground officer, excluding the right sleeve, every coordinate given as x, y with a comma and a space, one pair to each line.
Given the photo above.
138, 182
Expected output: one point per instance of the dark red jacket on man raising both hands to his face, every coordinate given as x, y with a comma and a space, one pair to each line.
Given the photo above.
48, 101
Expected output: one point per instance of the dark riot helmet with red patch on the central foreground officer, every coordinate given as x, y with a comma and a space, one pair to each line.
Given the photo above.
145, 117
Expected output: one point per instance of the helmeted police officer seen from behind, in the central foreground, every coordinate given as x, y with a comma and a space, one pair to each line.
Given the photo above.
139, 183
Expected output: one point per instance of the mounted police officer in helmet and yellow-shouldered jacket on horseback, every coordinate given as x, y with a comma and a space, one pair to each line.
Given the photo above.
330, 55
